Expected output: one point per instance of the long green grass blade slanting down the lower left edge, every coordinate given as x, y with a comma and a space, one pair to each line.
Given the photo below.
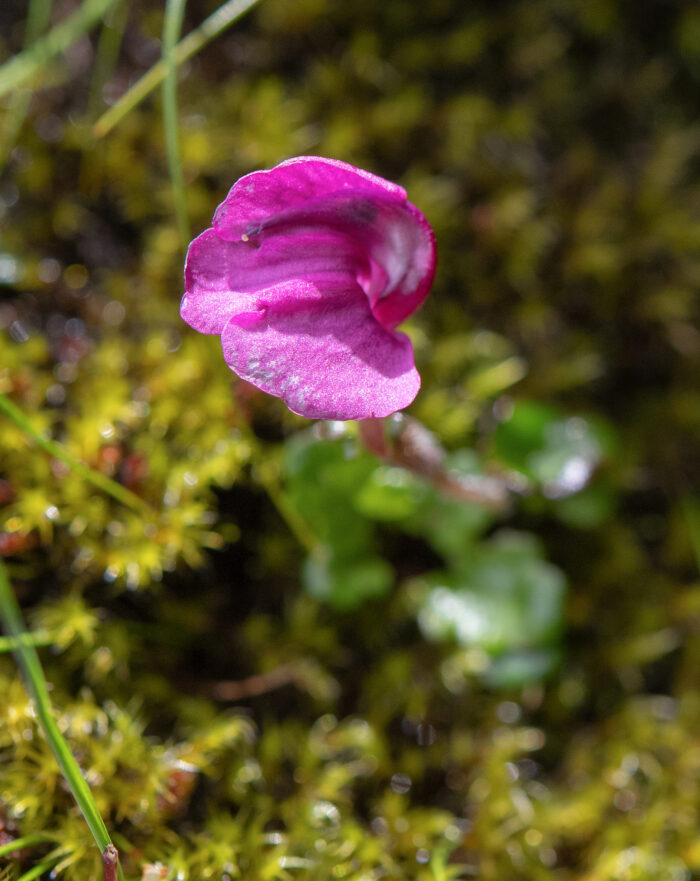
28, 661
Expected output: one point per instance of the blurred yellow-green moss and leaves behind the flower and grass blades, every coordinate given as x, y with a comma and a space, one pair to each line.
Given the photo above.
290, 660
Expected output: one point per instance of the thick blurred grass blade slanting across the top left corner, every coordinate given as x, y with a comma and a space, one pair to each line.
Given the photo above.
34, 59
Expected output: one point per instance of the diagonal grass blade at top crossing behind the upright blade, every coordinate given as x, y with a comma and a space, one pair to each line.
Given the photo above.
210, 28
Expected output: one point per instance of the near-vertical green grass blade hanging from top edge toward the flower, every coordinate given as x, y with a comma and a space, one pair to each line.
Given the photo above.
172, 26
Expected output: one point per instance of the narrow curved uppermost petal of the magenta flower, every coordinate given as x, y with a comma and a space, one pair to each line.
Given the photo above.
261, 194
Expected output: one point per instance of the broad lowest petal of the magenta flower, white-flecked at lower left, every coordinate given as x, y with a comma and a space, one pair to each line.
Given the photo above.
322, 351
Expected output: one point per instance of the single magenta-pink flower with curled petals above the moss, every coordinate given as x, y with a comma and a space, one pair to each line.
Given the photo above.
306, 272
